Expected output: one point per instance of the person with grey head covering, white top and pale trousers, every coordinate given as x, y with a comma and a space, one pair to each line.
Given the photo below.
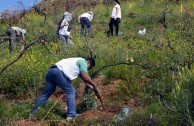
64, 29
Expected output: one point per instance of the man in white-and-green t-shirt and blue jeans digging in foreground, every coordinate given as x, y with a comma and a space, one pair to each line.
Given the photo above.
61, 74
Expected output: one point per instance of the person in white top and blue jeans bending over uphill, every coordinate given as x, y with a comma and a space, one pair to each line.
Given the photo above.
85, 20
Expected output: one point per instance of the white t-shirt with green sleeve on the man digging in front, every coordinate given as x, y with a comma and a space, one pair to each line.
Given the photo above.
72, 67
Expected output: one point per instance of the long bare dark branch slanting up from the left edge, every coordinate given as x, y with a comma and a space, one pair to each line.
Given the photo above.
20, 55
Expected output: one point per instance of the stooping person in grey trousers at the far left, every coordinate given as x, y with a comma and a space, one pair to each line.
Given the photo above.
16, 34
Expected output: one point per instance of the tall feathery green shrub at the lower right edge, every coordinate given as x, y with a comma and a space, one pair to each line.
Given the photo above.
182, 94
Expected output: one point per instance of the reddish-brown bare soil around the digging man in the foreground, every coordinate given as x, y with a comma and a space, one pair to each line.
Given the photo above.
108, 95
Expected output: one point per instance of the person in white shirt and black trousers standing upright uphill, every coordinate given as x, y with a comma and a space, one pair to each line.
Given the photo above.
115, 17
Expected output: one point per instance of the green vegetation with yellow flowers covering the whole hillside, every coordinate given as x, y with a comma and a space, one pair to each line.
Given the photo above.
157, 56
